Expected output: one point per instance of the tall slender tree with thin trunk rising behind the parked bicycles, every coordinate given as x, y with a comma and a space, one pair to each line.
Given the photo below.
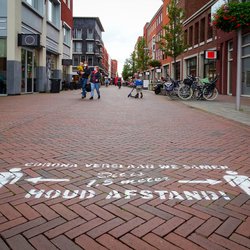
172, 42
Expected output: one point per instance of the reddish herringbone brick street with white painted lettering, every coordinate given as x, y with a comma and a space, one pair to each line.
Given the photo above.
121, 173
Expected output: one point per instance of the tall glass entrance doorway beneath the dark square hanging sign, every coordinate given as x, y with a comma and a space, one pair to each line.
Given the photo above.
28, 71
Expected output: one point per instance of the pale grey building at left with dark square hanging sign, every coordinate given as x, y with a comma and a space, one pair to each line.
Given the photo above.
31, 45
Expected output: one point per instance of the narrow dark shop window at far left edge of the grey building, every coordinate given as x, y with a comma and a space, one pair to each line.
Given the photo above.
3, 55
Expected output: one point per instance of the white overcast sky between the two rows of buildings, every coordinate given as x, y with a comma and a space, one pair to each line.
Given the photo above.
122, 20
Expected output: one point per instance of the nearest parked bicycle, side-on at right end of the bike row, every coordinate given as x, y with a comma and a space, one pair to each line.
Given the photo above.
198, 88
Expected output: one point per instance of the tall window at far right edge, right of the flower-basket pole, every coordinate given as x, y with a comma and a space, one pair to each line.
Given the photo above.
246, 65
